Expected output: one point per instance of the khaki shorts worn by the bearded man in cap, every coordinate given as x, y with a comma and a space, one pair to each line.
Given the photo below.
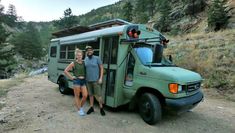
94, 89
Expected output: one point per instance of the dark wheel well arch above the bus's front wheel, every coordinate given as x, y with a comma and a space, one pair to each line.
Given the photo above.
155, 92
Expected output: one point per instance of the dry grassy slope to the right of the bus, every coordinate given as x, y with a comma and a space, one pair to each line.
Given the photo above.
210, 54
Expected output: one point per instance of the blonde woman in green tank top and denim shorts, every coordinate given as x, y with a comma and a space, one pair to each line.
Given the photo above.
79, 81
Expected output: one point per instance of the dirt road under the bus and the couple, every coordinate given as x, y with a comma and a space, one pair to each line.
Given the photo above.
36, 105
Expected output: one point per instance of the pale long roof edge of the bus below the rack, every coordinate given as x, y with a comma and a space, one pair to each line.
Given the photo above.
90, 36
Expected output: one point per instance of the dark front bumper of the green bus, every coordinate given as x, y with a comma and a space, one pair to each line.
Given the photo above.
183, 104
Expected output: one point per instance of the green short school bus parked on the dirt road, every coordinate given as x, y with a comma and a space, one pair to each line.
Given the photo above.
136, 73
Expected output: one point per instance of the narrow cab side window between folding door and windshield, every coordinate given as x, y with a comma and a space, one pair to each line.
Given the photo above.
130, 71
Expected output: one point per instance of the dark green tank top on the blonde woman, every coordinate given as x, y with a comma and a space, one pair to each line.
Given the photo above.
79, 69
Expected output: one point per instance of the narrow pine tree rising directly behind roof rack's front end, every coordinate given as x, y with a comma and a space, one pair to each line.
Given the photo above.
128, 11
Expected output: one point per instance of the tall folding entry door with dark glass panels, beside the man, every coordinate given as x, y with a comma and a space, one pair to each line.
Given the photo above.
110, 52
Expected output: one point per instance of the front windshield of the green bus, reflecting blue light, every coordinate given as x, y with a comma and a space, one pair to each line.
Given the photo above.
152, 55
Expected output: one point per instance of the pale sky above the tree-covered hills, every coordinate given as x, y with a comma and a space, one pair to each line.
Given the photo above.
47, 10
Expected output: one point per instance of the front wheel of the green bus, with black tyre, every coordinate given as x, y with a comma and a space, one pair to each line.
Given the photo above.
150, 108
